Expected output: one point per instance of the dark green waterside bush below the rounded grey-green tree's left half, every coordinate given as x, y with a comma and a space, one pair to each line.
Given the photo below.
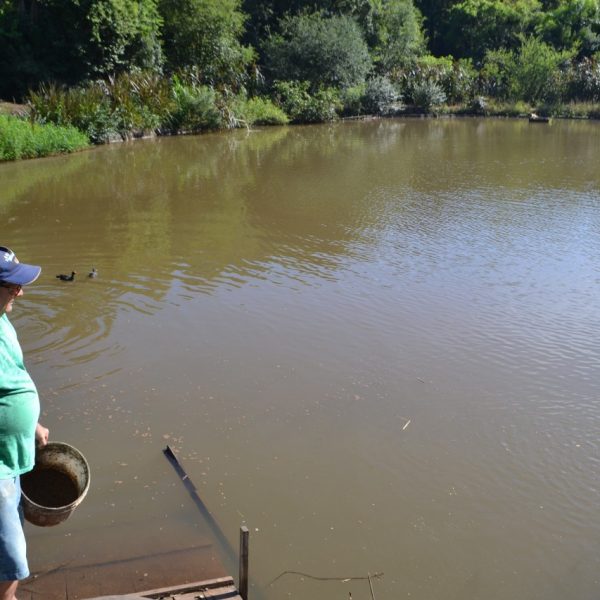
302, 107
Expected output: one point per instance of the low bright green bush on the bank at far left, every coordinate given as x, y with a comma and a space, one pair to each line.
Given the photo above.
22, 139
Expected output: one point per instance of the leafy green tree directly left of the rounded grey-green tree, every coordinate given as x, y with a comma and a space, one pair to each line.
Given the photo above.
206, 34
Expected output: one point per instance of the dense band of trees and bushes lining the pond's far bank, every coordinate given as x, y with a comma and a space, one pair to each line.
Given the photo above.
118, 68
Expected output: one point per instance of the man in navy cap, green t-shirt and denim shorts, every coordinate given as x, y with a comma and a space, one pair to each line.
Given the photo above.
19, 427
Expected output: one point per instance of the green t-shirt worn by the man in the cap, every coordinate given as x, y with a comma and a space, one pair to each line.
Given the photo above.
19, 406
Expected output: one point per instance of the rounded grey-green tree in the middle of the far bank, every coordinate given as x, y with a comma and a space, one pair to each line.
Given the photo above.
325, 51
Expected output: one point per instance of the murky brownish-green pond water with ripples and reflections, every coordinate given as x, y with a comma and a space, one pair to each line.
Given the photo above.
376, 344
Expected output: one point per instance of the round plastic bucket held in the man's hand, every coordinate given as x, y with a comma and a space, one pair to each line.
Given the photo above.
56, 486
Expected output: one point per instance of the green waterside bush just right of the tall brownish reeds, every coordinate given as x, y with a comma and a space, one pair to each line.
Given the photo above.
194, 108
